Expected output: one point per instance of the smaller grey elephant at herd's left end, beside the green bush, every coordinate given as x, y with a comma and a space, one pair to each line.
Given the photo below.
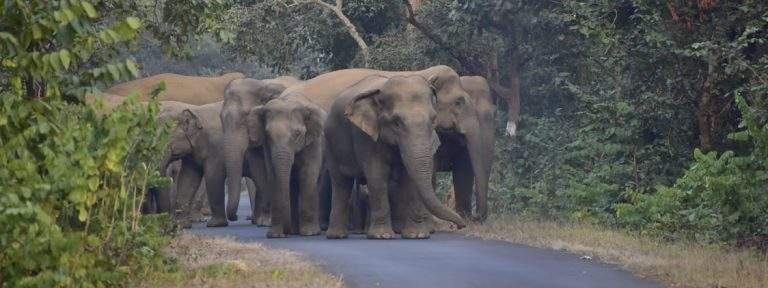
197, 142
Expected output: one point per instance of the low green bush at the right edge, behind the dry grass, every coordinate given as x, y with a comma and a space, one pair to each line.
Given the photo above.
721, 196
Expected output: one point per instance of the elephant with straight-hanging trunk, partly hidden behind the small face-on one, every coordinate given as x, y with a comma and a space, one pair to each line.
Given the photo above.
240, 155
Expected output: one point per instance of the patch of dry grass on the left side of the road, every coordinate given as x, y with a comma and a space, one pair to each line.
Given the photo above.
222, 262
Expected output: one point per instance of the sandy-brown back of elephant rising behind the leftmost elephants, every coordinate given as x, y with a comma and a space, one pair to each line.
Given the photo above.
195, 90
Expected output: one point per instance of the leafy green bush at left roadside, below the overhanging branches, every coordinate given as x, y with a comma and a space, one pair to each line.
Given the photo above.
73, 183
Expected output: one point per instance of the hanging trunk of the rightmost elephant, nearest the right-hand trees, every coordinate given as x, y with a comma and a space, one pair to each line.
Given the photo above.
476, 156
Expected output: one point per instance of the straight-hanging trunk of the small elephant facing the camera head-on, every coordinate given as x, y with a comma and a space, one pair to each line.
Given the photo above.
282, 162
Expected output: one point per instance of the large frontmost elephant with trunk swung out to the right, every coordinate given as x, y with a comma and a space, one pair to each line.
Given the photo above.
379, 130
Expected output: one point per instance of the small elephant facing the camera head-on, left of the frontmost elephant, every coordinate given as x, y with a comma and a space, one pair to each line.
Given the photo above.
289, 129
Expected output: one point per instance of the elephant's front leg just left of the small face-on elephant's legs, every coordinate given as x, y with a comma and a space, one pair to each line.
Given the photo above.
258, 173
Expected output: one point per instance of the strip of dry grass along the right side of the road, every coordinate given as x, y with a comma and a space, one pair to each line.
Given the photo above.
676, 264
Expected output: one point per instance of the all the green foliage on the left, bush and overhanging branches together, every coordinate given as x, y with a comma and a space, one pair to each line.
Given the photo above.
73, 178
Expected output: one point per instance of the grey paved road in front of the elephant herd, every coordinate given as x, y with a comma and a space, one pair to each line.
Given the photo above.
445, 260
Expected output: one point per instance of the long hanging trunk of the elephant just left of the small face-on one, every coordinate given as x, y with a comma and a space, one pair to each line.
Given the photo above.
235, 144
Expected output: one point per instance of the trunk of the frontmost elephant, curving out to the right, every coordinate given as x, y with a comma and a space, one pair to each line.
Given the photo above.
419, 163
